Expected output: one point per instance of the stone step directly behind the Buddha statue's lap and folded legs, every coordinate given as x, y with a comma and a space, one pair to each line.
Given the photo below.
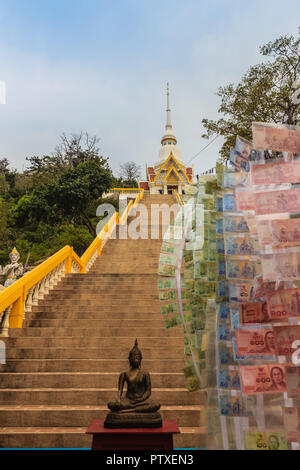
92, 396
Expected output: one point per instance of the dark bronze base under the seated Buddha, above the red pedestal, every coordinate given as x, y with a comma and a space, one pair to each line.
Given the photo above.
133, 420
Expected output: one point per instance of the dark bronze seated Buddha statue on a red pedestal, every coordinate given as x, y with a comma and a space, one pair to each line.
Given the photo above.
134, 409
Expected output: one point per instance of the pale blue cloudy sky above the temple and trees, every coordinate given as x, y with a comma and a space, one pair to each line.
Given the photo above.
102, 65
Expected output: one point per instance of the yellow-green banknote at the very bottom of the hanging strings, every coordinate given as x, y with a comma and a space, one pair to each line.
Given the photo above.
254, 440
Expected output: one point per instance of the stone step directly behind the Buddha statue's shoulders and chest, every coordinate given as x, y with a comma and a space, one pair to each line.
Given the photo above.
81, 380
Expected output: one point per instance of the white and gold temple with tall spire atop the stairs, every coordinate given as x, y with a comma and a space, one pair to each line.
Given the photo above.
170, 171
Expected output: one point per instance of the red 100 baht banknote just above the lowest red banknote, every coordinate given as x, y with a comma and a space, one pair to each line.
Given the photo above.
259, 342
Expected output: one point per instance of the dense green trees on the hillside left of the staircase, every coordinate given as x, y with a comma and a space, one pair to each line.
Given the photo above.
53, 203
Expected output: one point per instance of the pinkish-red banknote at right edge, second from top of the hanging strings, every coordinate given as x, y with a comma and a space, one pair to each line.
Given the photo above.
275, 173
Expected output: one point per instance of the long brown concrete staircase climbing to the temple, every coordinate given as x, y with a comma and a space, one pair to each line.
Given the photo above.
63, 365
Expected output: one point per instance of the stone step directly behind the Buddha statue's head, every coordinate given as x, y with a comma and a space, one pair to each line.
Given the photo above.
90, 353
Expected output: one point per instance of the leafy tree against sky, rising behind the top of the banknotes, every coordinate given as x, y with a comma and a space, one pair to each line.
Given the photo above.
265, 93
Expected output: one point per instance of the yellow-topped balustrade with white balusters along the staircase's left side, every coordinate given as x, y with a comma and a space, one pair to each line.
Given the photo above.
18, 298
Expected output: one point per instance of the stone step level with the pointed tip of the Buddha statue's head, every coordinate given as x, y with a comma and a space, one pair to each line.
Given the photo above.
84, 342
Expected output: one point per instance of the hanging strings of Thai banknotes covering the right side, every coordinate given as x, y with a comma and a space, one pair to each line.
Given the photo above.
239, 295
